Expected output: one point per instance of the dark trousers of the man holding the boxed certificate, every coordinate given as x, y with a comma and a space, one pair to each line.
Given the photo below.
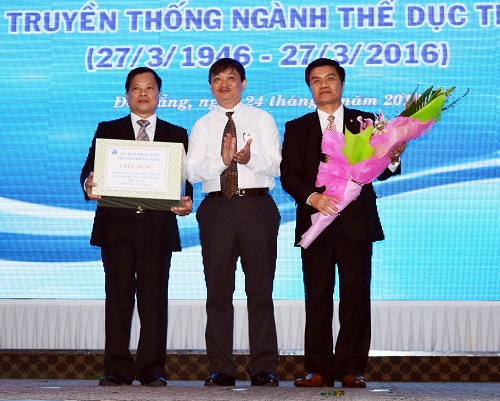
140, 267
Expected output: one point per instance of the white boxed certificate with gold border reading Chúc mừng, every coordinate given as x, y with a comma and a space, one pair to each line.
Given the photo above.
139, 174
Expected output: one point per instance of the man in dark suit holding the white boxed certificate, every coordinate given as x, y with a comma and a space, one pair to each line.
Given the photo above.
136, 246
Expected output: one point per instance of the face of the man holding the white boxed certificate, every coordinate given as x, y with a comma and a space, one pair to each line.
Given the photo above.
143, 95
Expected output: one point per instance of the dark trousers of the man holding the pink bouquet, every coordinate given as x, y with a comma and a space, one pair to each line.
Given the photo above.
353, 260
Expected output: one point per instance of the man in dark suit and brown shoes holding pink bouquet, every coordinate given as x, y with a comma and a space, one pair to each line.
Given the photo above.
347, 242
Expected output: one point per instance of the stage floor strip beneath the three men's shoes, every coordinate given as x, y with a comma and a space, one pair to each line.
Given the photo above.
194, 390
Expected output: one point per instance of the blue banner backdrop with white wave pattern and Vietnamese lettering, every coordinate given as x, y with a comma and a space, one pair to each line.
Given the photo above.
63, 70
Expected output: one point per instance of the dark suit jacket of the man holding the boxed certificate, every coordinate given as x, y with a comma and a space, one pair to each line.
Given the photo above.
113, 225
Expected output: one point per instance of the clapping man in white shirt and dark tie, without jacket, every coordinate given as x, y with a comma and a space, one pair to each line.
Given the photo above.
237, 222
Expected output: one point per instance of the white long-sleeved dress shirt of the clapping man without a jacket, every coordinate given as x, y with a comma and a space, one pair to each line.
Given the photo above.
204, 160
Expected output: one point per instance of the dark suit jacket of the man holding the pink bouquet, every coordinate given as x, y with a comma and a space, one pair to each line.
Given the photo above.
299, 168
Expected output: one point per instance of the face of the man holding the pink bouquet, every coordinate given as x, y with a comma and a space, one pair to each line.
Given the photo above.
326, 88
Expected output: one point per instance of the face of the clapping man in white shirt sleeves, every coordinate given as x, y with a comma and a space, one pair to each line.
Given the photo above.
227, 88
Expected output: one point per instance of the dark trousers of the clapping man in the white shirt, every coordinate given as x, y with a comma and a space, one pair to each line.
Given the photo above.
245, 227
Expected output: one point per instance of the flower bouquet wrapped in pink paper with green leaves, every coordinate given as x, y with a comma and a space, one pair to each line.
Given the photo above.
355, 160
